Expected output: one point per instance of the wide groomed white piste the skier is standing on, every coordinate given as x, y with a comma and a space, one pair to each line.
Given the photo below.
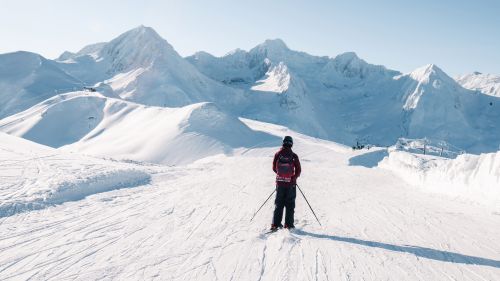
192, 223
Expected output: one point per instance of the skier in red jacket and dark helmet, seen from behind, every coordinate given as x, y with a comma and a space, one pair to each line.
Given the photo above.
286, 165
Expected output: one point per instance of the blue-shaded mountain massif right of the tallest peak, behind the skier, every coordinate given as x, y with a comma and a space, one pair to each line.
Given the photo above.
347, 99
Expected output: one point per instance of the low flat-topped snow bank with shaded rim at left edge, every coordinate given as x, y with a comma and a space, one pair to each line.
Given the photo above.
35, 176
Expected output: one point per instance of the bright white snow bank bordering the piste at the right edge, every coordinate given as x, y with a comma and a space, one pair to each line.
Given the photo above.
476, 177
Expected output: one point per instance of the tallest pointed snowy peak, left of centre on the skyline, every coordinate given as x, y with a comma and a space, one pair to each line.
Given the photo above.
141, 66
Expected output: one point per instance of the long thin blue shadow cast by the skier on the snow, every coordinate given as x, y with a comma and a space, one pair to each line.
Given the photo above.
423, 252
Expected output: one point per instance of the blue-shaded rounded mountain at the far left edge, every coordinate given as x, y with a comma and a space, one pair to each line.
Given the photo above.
27, 79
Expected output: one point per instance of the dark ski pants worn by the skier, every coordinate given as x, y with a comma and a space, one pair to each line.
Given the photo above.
285, 197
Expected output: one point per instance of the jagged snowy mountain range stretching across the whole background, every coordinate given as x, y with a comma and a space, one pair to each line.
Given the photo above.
344, 98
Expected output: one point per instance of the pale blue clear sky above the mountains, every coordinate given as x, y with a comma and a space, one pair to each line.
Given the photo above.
459, 36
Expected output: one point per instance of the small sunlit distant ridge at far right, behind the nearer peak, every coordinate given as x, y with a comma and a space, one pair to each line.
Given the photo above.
487, 84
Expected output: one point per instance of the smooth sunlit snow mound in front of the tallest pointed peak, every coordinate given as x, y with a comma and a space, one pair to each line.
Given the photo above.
165, 135
